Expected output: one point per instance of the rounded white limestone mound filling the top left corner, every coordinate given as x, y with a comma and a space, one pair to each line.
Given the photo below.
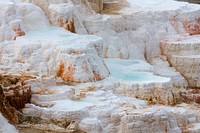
17, 18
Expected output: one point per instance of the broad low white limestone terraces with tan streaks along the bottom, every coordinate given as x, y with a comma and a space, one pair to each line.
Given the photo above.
93, 109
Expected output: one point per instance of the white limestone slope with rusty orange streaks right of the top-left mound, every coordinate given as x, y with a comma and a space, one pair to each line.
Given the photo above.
68, 14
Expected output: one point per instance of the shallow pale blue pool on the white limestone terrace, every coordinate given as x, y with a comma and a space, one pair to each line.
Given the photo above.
121, 70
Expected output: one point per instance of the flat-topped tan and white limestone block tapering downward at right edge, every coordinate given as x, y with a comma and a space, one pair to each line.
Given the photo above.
183, 53
